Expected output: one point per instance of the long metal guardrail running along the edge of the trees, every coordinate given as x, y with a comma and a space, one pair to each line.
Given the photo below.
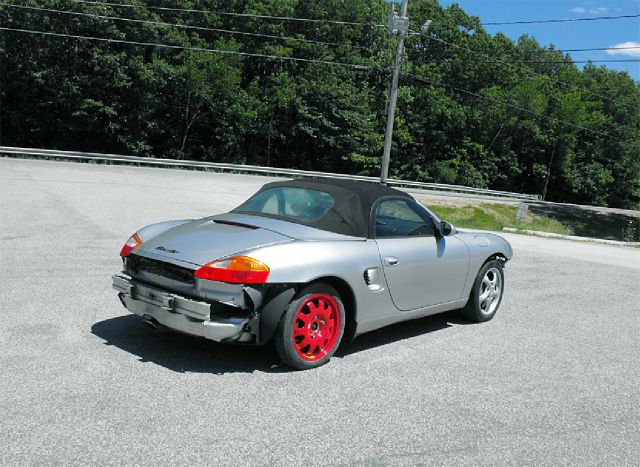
258, 169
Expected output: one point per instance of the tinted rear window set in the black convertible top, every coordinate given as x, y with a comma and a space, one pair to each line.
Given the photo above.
295, 203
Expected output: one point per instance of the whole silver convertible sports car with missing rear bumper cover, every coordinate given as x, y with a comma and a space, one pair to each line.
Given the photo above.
309, 264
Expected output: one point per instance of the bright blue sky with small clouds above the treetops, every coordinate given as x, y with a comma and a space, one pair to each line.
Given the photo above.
580, 35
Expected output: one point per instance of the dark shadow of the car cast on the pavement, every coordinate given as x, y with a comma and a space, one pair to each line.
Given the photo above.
188, 354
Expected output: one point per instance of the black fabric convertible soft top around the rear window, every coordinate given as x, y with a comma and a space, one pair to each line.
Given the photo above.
351, 210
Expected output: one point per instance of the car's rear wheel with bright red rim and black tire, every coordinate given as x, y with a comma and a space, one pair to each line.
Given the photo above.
310, 332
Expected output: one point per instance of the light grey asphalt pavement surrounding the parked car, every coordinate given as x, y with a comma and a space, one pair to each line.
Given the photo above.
553, 379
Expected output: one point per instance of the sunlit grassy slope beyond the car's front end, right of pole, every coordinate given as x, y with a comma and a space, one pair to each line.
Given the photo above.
496, 217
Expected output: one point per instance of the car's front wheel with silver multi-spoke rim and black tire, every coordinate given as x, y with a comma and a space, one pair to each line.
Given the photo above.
476, 308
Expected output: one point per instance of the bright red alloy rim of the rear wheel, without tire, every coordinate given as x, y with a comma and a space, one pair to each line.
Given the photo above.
316, 327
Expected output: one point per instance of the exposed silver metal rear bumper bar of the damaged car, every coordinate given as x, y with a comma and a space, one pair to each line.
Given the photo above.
180, 313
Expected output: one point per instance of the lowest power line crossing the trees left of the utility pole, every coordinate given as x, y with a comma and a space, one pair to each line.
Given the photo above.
195, 49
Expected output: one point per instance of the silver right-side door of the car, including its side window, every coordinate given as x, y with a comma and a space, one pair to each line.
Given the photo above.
421, 267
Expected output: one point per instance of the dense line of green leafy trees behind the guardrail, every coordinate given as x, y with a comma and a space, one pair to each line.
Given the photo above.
469, 109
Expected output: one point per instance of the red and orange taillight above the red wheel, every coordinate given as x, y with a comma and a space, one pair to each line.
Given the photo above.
238, 270
